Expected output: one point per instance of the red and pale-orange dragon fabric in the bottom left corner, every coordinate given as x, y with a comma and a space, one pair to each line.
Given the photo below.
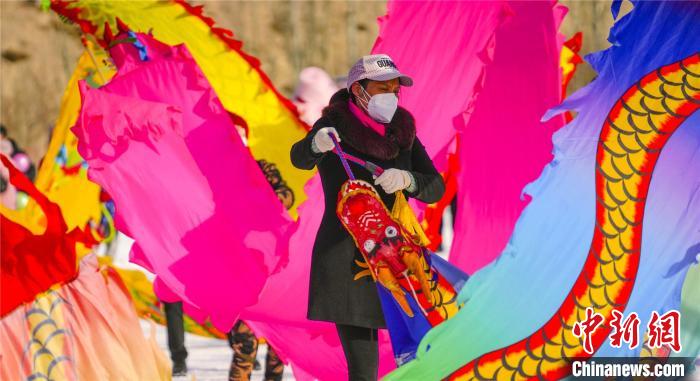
60, 321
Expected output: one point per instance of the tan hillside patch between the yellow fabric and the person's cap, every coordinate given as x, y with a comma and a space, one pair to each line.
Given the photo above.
289, 36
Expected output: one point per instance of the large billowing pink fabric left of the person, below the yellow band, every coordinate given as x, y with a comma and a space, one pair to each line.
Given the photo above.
203, 216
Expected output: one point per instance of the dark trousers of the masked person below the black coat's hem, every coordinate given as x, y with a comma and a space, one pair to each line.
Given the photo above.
361, 351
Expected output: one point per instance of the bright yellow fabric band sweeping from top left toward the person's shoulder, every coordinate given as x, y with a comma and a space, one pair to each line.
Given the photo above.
272, 126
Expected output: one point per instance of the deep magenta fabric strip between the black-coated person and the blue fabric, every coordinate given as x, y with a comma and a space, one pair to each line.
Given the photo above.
503, 145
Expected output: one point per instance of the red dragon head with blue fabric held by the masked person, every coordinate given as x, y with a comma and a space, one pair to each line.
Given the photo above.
417, 290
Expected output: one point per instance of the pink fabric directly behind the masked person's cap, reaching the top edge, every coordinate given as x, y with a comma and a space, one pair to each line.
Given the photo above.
444, 47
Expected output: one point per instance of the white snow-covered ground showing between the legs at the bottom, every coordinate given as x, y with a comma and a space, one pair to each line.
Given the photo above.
208, 359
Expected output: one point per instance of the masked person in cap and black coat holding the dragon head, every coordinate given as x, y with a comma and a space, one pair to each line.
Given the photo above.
368, 123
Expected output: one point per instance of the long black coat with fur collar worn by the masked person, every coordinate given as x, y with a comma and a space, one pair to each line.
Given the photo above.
334, 293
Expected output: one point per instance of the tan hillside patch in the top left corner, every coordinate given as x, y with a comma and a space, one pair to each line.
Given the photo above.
38, 53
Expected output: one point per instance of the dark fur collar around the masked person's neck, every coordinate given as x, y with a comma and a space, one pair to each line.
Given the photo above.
399, 135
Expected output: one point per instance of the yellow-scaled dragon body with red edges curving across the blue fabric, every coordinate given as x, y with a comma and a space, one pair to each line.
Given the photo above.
633, 135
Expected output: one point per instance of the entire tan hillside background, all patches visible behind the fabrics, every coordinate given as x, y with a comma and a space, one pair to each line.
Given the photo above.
38, 51
